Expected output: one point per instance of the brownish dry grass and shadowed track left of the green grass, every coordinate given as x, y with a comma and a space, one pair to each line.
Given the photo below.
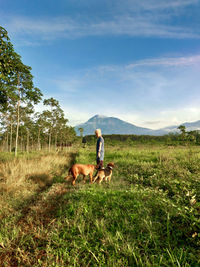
31, 192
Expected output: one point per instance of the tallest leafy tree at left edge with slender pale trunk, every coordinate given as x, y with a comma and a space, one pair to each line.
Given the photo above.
16, 80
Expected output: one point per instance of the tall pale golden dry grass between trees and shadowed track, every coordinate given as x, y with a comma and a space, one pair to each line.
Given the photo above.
20, 179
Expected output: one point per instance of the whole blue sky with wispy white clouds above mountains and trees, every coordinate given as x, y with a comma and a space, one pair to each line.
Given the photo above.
137, 60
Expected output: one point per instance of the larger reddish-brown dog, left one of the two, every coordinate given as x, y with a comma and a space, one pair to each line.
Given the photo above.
83, 169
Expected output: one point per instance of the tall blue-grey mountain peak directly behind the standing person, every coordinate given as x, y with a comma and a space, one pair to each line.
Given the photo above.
111, 125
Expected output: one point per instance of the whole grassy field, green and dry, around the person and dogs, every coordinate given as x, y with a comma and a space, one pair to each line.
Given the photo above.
149, 215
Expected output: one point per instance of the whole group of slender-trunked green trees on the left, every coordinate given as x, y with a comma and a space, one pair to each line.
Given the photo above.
20, 126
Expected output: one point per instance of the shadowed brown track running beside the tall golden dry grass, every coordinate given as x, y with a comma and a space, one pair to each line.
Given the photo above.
33, 224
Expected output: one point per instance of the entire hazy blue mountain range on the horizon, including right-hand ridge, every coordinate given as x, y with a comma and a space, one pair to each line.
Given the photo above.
112, 125
